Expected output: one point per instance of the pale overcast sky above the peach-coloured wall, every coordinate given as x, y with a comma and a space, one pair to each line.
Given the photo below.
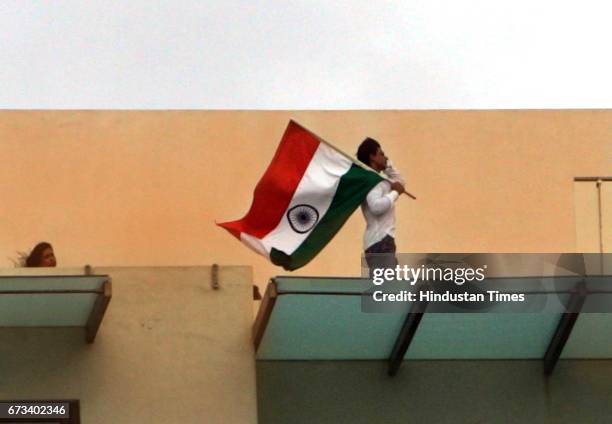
358, 54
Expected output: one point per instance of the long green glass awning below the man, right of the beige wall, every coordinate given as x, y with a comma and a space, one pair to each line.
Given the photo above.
317, 318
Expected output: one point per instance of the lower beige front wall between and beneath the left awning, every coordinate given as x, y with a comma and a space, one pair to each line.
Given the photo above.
170, 350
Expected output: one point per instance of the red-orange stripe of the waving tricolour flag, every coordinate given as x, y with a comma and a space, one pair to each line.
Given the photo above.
275, 190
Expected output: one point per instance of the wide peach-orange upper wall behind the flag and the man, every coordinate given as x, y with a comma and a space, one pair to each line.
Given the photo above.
145, 188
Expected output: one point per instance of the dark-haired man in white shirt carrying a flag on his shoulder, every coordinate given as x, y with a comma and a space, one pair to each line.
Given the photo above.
379, 208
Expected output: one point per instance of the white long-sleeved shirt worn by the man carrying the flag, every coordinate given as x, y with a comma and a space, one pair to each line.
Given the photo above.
379, 209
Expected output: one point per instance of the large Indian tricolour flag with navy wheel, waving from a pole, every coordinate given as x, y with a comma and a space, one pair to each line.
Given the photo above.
305, 196
